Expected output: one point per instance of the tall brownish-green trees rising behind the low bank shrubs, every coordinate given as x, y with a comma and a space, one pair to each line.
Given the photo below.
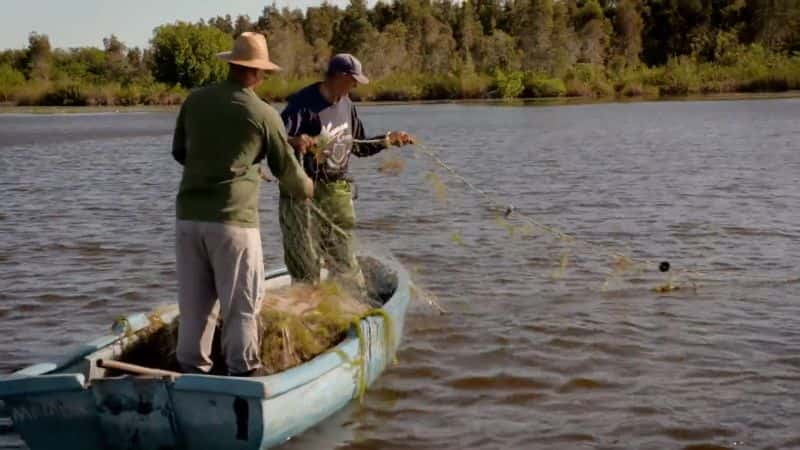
542, 35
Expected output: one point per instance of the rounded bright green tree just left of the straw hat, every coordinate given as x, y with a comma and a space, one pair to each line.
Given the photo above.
185, 53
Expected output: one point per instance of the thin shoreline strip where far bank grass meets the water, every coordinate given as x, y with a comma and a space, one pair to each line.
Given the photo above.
10, 108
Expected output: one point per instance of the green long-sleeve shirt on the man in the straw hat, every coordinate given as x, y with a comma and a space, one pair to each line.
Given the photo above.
222, 133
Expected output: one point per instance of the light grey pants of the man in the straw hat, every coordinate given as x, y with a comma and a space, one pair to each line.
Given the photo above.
218, 262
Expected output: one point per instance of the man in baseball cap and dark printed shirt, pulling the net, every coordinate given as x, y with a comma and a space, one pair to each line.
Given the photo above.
327, 229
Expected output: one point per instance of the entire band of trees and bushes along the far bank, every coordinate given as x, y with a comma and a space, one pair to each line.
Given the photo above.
448, 48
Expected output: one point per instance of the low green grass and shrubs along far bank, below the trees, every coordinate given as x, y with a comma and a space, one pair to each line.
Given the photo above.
739, 69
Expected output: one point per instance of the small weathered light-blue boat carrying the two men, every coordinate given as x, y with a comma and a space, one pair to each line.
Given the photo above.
79, 403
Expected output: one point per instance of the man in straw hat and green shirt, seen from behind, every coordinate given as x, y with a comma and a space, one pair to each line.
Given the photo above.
222, 133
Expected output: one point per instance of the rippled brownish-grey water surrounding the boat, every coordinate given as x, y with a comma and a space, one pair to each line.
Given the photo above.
525, 359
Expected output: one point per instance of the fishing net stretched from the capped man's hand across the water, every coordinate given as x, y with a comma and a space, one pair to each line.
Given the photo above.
615, 264
